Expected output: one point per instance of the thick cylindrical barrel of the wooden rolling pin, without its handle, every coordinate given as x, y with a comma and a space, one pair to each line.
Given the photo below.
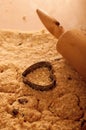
72, 45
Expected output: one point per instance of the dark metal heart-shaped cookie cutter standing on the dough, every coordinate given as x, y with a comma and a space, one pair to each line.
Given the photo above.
37, 66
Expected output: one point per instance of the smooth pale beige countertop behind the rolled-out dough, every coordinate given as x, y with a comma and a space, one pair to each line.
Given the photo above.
21, 14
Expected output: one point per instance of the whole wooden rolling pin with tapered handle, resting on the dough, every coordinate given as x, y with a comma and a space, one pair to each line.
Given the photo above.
71, 44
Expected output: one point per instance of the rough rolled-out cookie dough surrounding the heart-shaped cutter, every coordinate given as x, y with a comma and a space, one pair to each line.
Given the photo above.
23, 108
